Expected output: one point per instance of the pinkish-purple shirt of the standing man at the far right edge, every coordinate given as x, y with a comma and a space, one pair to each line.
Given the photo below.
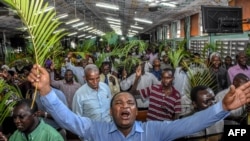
236, 69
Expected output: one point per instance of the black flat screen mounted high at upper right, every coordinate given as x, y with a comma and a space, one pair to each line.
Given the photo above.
221, 19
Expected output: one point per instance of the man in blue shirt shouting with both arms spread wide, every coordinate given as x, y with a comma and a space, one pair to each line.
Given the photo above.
124, 110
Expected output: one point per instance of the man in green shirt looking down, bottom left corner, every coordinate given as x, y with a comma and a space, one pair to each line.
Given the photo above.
29, 126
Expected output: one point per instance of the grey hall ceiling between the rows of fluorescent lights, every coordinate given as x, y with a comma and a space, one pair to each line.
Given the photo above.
95, 17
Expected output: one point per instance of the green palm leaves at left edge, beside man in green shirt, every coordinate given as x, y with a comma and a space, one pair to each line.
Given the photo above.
9, 95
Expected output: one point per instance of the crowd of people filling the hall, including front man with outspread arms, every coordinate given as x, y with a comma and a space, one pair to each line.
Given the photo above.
102, 103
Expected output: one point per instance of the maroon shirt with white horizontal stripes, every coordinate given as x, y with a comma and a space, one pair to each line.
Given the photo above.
161, 107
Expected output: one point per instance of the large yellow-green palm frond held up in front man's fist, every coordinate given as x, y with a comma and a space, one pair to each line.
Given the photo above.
40, 25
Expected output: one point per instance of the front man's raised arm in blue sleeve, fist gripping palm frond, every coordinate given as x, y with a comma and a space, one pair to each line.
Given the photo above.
39, 77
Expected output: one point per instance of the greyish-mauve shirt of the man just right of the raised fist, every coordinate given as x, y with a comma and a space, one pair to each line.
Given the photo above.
67, 89
